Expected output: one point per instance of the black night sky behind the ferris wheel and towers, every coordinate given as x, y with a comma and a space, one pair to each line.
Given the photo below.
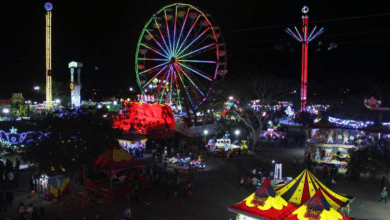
104, 33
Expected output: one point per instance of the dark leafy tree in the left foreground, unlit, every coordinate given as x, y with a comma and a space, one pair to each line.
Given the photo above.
75, 137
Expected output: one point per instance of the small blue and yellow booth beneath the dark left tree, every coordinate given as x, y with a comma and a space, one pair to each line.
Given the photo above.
53, 184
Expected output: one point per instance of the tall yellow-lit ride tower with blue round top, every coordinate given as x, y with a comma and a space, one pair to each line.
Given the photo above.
49, 101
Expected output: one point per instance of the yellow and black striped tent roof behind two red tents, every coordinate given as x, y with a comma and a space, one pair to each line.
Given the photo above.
299, 190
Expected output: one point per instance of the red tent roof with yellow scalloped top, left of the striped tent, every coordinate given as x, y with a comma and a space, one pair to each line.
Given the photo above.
264, 204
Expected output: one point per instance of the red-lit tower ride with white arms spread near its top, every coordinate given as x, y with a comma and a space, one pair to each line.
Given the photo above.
305, 38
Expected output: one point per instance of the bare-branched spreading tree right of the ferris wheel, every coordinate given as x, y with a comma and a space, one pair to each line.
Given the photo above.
264, 89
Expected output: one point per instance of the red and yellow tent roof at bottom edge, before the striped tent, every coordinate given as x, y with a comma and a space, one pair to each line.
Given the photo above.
317, 208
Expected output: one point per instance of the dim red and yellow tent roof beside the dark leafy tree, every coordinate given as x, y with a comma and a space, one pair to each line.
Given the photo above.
115, 159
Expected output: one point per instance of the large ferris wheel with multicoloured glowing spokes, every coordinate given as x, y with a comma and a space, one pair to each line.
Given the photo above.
180, 54
